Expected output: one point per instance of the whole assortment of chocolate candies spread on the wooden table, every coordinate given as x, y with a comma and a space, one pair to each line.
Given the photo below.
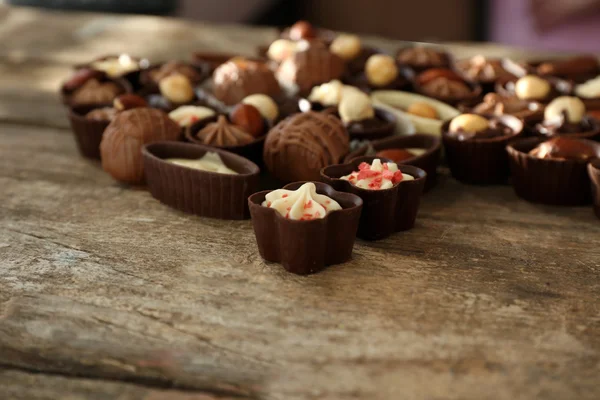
356, 134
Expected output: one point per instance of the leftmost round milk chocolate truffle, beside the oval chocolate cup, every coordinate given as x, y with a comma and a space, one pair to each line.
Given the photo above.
123, 140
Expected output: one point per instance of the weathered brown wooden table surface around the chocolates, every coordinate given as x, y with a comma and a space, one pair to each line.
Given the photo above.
107, 294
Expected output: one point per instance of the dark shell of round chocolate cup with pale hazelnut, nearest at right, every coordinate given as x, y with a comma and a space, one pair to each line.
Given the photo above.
480, 161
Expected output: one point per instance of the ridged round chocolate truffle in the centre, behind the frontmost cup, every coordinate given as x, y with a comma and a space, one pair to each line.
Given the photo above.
298, 147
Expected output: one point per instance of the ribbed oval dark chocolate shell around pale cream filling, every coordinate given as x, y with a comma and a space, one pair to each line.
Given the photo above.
207, 194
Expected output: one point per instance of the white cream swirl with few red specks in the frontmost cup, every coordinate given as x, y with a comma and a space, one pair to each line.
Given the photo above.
301, 204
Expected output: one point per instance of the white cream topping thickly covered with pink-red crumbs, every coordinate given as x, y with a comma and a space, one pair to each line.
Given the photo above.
377, 176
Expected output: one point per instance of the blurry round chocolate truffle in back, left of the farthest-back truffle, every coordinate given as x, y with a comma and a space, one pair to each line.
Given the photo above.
239, 77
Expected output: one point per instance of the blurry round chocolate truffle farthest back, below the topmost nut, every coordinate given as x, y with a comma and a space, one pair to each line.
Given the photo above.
310, 67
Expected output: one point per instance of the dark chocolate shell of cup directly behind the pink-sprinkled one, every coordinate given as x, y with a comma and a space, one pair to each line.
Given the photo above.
427, 161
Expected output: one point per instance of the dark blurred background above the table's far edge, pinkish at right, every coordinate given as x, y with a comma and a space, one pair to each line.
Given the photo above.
542, 24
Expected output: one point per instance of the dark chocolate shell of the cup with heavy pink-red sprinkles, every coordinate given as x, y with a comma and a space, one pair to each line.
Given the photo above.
384, 211
